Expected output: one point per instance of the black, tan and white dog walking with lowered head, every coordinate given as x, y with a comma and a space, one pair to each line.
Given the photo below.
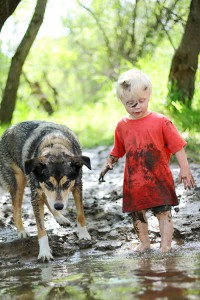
47, 157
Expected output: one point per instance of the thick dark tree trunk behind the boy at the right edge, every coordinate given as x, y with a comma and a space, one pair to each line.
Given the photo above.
185, 61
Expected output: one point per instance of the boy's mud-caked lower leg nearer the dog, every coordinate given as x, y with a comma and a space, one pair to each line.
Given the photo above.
141, 228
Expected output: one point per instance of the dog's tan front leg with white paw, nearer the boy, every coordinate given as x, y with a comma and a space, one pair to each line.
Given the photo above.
82, 230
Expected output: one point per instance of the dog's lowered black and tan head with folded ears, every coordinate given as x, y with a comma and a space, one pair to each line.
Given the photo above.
56, 176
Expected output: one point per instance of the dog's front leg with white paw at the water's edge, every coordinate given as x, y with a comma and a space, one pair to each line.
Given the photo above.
38, 208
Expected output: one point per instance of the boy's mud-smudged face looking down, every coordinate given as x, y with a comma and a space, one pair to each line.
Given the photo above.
137, 107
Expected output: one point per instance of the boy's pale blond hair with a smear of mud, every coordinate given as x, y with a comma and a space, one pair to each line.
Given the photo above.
132, 83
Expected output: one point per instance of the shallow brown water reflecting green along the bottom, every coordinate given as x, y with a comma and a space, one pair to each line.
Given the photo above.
118, 275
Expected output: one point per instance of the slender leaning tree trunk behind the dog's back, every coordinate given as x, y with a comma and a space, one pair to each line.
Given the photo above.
10, 92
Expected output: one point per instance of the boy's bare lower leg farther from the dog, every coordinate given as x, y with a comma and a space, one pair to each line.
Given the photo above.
166, 230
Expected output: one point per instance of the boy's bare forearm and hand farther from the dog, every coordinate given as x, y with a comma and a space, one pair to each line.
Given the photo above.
185, 175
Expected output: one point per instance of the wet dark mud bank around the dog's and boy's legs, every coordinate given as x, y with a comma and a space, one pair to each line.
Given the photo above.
109, 227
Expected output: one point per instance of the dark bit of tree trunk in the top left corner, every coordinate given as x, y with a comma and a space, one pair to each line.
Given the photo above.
7, 7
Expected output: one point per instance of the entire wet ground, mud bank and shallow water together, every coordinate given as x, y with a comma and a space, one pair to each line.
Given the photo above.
107, 266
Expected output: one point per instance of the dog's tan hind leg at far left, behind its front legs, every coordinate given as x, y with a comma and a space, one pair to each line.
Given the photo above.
17, 192
